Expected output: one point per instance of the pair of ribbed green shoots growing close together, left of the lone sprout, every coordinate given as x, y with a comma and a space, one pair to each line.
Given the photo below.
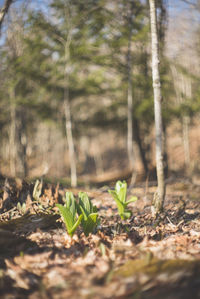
81, 212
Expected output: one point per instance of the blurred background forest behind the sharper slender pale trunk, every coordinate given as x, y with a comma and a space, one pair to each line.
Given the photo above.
76, 92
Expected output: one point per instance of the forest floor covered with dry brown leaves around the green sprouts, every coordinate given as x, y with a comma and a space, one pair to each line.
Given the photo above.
142, 257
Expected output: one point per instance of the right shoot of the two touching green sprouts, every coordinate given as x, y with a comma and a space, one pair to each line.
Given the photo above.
89, 212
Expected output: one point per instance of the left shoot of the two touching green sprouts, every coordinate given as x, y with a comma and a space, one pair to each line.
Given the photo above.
69, 213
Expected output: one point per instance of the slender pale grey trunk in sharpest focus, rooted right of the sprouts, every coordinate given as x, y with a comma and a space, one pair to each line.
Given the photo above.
159, 196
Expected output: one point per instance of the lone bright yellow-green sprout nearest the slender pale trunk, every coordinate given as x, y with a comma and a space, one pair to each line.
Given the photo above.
119, 195
